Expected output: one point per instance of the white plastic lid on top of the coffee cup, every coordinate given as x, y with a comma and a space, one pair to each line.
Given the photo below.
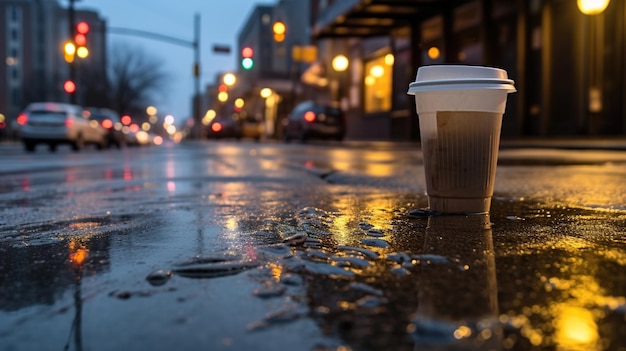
454, 77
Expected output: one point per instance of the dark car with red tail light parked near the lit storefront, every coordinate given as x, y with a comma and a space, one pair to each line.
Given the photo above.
310, 120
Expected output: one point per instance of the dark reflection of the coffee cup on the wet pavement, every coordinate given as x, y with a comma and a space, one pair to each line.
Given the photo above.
458, 295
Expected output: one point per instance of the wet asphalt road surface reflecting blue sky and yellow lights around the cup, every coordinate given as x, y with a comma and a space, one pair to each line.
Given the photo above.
266, 246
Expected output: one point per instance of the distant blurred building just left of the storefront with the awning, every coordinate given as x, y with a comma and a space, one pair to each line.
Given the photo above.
272, 85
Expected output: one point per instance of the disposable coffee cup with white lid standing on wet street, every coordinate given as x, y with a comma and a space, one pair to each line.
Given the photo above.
460, 112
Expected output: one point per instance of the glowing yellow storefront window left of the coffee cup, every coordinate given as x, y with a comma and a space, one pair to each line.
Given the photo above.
378, 73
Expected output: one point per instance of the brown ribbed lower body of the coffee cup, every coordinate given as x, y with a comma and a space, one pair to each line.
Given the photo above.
460, 157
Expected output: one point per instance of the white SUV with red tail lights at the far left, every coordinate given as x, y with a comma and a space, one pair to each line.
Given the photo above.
55, 123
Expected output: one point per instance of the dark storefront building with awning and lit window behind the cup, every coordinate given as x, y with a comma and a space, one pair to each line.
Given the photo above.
569, 67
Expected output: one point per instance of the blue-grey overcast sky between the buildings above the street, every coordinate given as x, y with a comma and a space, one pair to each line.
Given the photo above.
221, 21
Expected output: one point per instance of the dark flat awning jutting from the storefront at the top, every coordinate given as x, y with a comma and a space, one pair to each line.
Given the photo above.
368, 18
